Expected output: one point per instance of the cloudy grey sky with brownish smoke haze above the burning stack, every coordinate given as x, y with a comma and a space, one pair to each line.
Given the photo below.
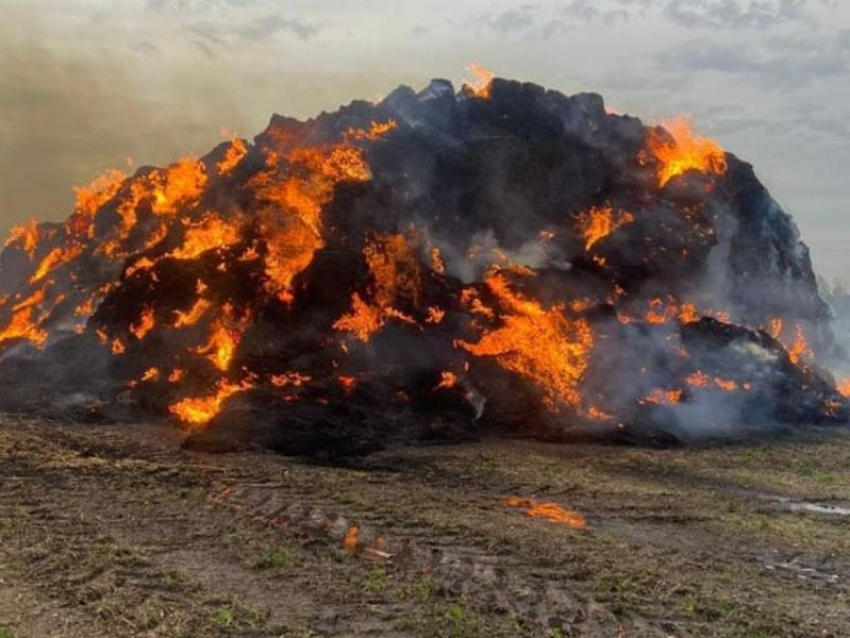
87, 85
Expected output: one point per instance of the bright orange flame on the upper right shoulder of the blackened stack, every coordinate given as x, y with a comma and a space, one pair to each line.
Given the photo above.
685, 152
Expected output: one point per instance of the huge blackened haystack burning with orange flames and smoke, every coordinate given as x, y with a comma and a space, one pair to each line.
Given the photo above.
501, 259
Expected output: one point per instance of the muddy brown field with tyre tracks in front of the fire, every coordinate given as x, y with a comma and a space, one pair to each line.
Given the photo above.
110, 531
